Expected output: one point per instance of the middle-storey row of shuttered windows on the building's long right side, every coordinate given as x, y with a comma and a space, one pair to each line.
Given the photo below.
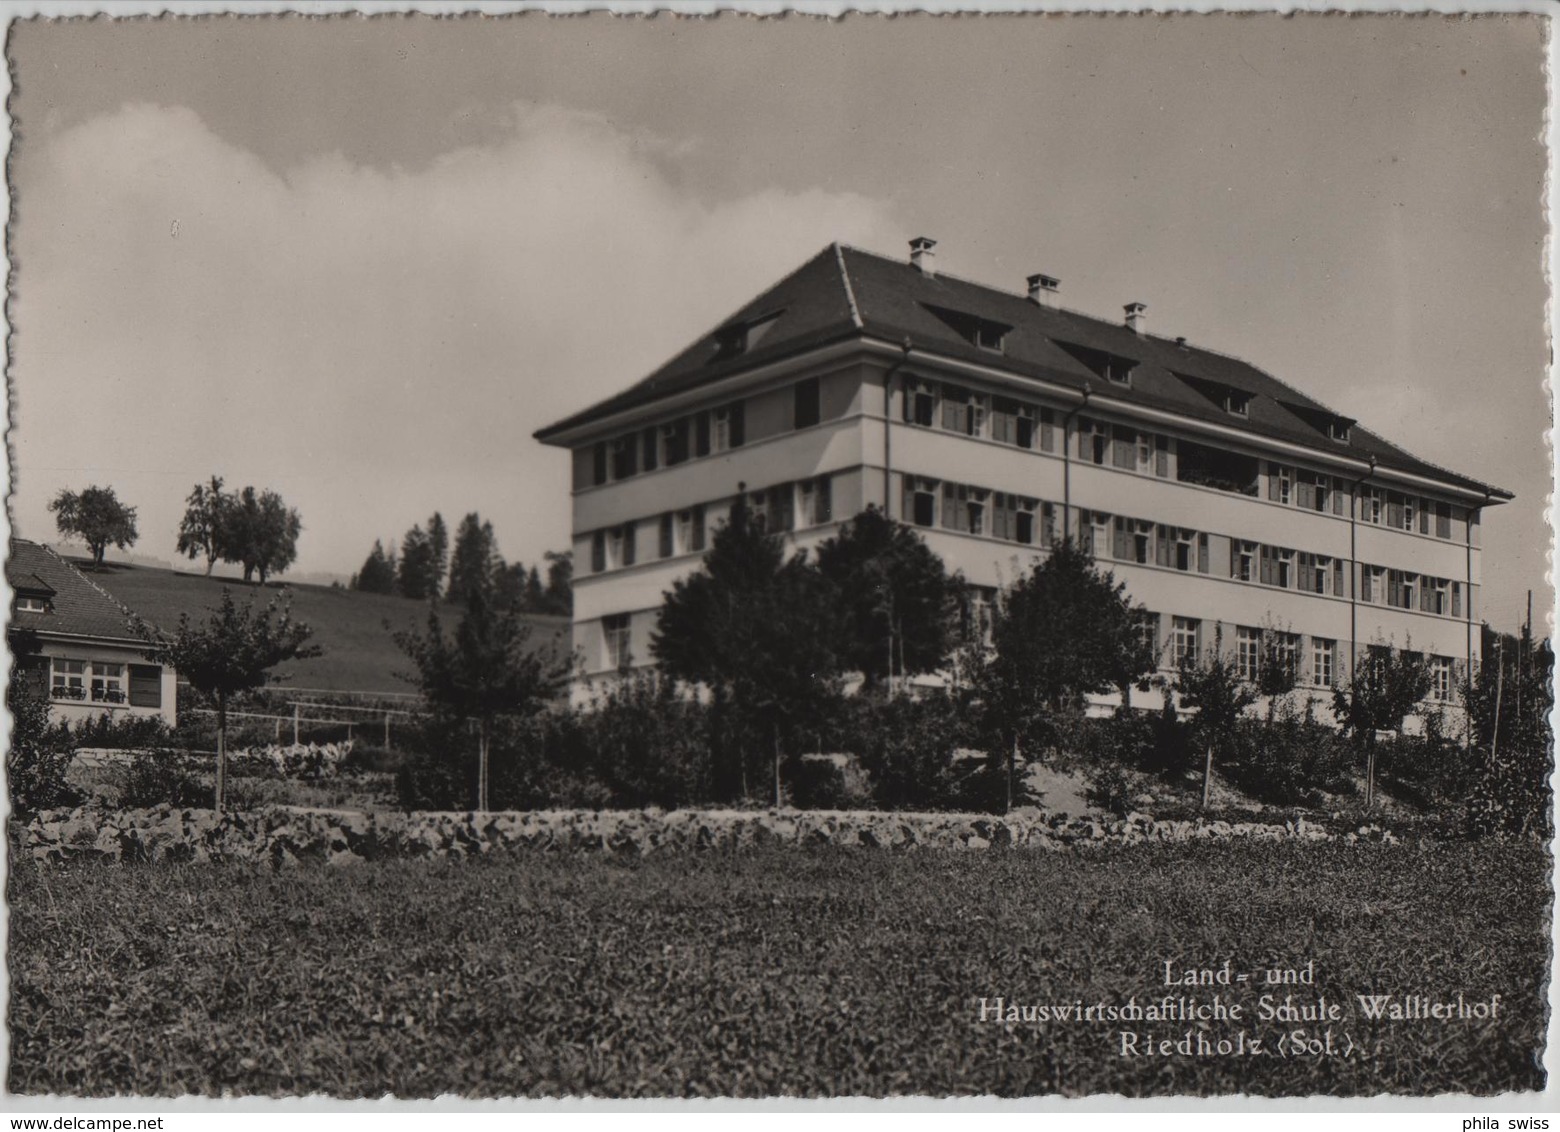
1029, 522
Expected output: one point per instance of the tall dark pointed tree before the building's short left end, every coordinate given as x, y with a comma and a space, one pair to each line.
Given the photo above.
753, 628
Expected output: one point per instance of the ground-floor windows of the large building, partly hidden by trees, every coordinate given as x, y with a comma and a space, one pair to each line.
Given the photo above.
1317, 665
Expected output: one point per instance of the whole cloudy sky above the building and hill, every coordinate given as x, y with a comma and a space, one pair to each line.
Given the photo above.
361, 261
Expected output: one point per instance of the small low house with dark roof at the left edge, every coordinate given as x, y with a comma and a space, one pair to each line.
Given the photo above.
74, 643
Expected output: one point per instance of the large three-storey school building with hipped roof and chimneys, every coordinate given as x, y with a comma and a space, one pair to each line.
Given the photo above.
996, 423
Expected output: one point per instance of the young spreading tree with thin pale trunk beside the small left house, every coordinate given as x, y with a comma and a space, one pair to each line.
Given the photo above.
232, 653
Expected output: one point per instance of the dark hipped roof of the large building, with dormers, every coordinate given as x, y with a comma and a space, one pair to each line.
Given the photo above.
846, 294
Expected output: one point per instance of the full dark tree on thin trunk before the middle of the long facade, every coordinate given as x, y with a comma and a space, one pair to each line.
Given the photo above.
1062, 632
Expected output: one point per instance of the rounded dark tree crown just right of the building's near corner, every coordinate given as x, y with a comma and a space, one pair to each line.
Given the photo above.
896, 598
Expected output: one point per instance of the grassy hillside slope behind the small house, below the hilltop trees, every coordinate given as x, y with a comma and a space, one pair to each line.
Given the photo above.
352, 628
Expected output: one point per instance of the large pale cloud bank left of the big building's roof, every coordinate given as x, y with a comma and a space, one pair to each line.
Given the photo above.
374, 344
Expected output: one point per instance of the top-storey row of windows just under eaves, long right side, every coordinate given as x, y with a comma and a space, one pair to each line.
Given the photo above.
1009, 422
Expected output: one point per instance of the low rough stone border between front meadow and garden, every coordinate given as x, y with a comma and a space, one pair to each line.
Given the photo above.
286, 835
